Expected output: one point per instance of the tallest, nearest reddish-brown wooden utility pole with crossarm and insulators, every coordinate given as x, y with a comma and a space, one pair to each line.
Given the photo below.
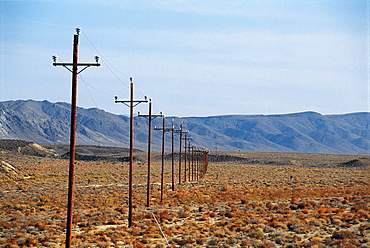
72, 152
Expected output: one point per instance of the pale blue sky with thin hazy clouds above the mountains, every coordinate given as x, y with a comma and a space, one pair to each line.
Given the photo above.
193, 58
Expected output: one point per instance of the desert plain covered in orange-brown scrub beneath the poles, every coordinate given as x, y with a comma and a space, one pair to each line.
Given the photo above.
246, 199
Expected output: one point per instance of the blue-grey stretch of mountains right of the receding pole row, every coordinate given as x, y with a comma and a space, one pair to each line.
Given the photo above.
299, 132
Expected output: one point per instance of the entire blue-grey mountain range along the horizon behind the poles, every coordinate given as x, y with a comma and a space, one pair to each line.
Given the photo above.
46, 122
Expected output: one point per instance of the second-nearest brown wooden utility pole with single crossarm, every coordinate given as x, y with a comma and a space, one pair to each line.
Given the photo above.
131, 105
